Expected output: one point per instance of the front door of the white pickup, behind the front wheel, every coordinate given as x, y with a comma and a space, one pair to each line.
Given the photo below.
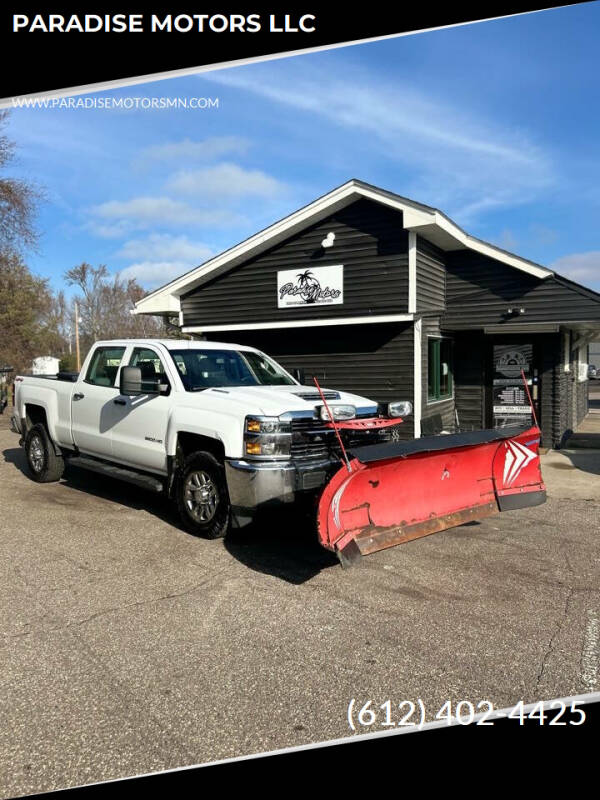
140, 431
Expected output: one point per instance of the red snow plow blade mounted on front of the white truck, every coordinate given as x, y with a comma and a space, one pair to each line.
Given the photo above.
392, 493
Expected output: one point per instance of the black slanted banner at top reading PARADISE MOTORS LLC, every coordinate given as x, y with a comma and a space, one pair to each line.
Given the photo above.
58, 47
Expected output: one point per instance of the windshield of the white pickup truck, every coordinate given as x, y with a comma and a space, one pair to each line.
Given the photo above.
206, 369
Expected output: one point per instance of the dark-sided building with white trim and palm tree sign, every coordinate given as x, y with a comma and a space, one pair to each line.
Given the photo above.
379, 295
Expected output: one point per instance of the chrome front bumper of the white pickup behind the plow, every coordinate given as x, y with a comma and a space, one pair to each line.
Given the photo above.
255, 485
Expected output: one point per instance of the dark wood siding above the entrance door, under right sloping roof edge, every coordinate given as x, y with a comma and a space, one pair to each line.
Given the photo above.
479, 291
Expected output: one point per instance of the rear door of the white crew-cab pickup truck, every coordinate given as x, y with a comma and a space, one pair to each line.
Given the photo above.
93, 412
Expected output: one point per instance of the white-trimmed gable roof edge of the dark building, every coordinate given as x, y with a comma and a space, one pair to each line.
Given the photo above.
428, 222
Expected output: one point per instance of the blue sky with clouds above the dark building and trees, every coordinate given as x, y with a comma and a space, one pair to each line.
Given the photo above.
495, 123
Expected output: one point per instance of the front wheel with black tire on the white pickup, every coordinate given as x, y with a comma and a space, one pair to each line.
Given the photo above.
199, 480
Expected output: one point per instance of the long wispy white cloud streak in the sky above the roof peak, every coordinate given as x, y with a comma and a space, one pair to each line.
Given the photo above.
464, 162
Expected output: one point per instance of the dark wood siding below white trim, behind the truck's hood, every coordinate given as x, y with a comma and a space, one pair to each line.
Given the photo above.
374, 361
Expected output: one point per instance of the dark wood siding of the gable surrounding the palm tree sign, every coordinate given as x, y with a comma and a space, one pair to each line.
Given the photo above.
370, 243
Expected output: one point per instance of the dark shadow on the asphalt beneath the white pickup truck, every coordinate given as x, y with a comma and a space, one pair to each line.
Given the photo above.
285, 546
